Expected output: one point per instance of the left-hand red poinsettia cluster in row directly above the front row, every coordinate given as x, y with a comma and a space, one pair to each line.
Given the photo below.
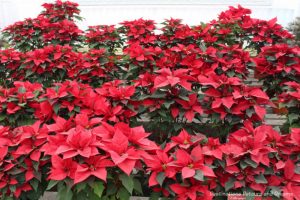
28, 101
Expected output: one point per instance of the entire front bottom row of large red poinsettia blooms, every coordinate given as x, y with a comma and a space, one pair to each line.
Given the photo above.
259, 158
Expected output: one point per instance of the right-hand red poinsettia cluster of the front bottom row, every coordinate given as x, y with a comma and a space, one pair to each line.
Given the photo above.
257, 158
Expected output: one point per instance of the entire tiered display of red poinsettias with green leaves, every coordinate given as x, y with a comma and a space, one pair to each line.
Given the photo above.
126, 110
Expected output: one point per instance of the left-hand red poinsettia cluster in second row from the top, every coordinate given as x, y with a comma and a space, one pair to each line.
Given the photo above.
58, 61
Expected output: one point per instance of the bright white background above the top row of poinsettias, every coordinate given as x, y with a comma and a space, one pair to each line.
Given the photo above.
114, 11
